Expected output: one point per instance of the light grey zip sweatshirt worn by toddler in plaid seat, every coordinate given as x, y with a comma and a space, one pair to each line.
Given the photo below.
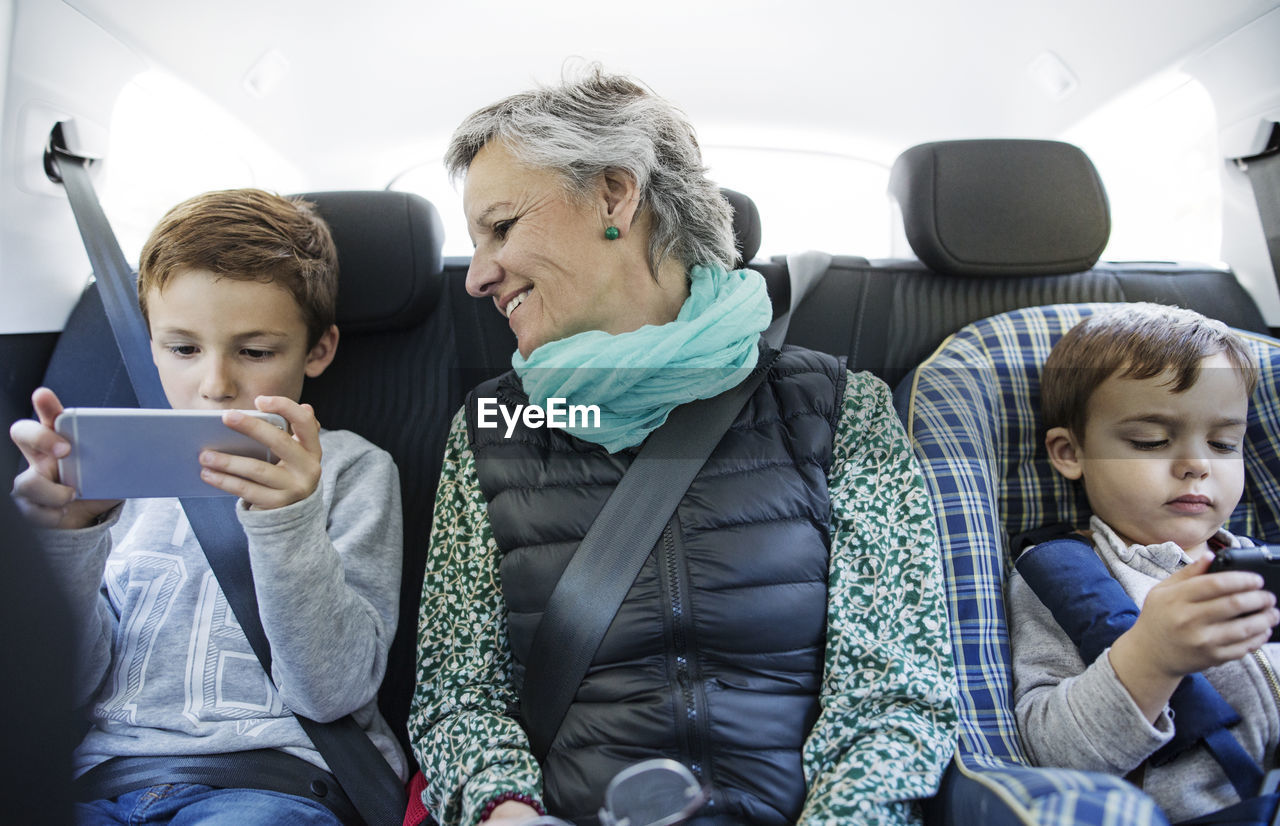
1082, 718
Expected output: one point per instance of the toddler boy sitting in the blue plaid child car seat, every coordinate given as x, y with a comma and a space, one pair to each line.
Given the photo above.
1146, 408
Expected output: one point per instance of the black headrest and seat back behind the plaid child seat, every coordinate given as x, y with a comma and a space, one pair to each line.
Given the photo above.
998, 226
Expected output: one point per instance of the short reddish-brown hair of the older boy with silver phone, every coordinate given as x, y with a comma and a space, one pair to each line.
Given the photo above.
248, 235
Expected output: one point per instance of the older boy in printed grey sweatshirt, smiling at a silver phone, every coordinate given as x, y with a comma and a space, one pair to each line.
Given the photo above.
239, 291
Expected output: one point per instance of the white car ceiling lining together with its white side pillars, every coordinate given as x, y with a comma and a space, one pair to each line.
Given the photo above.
374, 89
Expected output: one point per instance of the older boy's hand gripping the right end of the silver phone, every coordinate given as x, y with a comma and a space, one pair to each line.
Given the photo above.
263, 485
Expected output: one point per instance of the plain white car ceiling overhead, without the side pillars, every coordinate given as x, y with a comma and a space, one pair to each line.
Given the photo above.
369, 84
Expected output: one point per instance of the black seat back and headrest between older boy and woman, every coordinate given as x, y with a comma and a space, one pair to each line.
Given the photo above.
399, 381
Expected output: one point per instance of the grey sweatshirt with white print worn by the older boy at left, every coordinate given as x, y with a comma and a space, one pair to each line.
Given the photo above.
166, 668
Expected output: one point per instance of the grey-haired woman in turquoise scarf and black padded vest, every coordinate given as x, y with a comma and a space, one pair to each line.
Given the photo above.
788, 641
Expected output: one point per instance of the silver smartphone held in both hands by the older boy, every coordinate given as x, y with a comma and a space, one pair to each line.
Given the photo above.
132, 454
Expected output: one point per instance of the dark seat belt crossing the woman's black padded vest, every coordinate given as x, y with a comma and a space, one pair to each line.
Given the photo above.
606, 564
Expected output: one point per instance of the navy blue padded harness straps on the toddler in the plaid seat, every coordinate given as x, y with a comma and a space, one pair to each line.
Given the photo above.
1095, 610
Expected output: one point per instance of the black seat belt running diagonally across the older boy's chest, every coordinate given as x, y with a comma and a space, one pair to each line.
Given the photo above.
355, 761
